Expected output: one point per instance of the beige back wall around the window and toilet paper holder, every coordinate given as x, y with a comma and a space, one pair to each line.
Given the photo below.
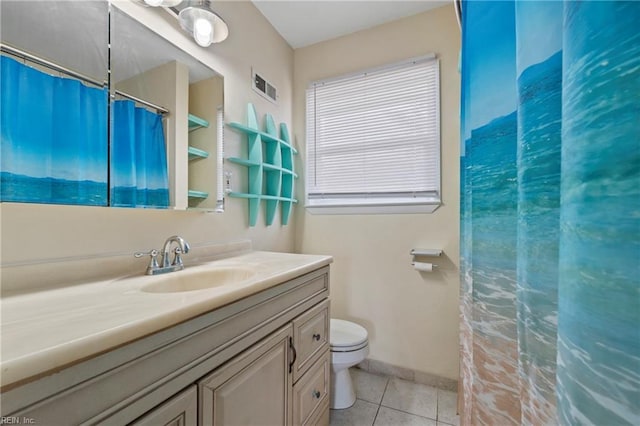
412, 317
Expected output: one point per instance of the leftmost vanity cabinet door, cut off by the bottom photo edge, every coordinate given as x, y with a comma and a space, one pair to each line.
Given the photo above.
181, 410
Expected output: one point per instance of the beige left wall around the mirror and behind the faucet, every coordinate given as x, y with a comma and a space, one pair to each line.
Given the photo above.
33, 232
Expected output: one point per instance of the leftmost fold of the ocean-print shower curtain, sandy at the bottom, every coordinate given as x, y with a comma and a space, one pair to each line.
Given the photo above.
489, 237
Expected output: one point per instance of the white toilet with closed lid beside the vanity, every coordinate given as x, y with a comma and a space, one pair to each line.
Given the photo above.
349, 346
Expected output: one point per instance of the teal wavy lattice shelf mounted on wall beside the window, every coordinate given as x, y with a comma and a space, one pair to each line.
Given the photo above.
270, 168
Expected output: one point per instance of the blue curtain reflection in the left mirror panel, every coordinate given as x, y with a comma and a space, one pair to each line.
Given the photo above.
53, 138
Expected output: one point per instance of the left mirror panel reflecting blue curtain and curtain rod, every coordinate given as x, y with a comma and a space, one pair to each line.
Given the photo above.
54, 102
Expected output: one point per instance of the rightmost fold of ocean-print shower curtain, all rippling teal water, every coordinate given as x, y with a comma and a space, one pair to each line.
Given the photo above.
599, 312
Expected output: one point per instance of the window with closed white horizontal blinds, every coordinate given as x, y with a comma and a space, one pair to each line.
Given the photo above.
373, 140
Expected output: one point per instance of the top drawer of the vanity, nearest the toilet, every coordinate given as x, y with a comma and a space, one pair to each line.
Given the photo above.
310, 337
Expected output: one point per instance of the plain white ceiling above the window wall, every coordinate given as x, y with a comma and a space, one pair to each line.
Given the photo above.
305, 22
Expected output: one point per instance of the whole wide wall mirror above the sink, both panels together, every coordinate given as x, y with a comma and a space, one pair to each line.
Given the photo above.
148, 134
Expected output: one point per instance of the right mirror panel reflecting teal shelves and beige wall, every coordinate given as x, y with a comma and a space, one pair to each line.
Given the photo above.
149, 71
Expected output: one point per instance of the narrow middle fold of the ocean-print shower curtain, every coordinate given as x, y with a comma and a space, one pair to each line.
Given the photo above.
539, 62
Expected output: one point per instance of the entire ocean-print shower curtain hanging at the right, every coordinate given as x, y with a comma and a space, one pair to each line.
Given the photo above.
550, 212
